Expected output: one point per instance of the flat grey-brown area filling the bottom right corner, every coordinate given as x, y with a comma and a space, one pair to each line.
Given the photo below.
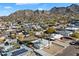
69, 51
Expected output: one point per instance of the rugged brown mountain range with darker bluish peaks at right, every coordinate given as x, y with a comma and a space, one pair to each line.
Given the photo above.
56, 13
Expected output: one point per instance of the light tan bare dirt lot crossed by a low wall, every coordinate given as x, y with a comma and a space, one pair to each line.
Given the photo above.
57, 46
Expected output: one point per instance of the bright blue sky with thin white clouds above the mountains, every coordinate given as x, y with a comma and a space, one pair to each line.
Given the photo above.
8, 8
